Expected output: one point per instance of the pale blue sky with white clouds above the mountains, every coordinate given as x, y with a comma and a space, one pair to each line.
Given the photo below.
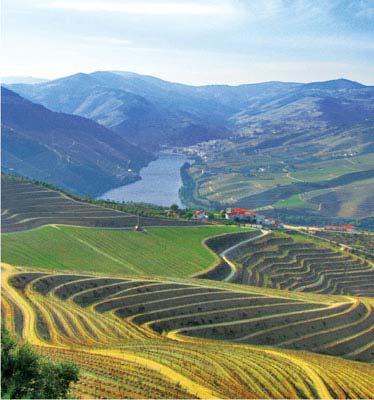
190, 41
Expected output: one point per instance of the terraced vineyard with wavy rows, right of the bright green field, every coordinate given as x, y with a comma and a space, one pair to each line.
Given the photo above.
282, 261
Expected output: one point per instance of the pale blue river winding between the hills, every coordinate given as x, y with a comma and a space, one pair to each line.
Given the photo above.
160, 183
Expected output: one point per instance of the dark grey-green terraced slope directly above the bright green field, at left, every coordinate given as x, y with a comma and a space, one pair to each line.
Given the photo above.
26, 205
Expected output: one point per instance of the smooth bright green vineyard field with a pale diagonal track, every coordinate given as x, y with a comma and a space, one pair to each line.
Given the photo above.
158, 251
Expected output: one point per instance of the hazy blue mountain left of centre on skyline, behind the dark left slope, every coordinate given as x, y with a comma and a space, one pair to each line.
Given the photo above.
143, 110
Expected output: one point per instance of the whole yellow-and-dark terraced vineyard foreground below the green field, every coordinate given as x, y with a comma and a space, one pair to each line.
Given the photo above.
142, 337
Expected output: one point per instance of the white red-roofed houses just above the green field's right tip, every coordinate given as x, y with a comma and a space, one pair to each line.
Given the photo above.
243, 216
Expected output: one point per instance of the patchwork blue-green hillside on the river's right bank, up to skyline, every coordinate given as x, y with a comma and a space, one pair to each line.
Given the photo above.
312, 143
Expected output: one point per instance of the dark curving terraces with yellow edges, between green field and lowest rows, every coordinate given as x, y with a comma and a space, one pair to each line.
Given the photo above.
150, 307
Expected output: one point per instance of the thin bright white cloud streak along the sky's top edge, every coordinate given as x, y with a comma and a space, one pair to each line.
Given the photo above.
144, 7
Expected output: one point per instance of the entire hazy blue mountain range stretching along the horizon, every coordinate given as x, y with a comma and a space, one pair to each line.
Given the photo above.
153, 113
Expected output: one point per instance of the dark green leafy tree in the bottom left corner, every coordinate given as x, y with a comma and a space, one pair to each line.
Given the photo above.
26, 374
